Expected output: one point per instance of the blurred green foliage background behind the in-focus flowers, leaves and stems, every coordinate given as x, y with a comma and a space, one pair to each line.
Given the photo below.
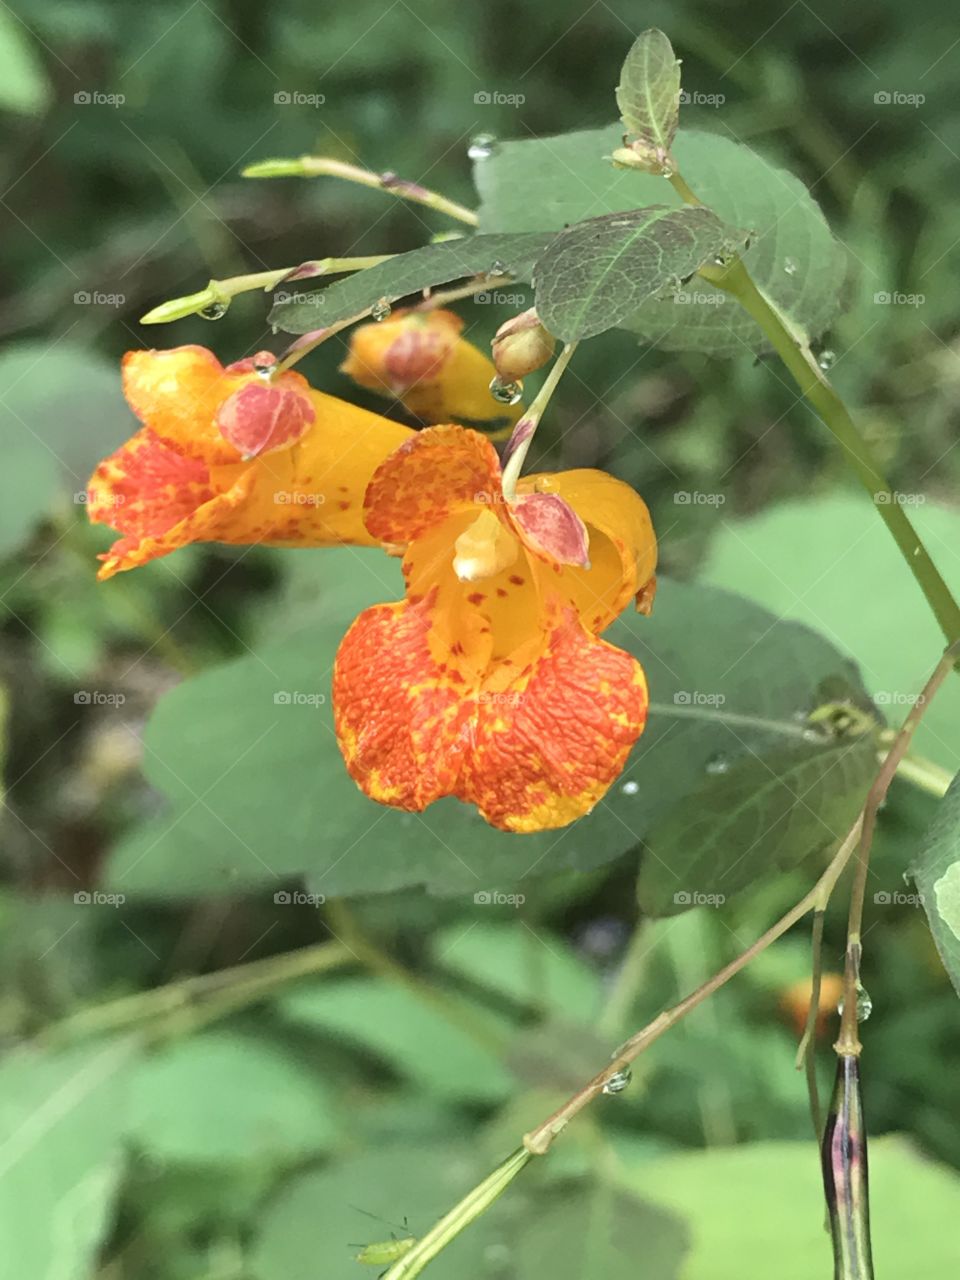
250, 1145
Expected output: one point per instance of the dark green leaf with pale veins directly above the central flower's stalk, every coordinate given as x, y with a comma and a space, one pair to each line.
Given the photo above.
596, 275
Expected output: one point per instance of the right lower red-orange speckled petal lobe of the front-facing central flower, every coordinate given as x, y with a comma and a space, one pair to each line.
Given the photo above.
550, 743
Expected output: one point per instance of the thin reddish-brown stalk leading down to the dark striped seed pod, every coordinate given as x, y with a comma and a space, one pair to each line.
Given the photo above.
849, 1041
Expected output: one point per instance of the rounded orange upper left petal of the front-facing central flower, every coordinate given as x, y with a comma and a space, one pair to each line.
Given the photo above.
436, 474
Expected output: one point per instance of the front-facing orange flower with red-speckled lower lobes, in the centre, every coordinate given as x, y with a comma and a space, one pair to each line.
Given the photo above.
488, 683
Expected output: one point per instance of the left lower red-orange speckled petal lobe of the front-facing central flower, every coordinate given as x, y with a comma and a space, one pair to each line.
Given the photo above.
400, 714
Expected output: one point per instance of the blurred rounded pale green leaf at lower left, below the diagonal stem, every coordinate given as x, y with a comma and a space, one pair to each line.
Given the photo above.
225, 1098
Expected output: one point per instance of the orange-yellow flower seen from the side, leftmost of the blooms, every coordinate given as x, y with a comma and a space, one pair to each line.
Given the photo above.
227, 456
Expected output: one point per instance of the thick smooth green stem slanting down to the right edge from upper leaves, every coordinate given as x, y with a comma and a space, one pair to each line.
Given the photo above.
796, 353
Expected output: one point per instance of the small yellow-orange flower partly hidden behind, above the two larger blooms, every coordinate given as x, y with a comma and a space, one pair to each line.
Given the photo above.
420, 359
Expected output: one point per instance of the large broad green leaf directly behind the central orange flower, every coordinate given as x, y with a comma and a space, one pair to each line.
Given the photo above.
259, 792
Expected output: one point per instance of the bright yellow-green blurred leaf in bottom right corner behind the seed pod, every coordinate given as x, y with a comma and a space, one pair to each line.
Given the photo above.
761, 1206
